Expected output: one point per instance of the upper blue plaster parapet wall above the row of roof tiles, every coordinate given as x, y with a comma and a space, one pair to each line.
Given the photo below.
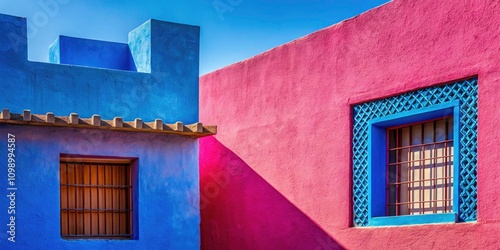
166, 85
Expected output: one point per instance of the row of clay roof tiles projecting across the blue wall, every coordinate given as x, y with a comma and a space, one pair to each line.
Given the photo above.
95, 122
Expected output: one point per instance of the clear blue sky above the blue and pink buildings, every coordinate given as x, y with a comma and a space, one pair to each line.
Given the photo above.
231, 30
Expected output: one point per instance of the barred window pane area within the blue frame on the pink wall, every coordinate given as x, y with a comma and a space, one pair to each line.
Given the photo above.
420, 168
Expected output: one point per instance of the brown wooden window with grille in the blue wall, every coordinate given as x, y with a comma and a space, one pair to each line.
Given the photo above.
96, 199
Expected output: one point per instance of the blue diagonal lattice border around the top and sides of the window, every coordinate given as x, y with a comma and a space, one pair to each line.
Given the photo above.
464, 91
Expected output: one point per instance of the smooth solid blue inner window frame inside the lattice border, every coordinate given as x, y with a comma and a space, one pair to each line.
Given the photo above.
377, 165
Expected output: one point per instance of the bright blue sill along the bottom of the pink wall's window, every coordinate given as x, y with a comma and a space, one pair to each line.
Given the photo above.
405, 220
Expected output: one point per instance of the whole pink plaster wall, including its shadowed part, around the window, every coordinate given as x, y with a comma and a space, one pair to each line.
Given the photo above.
278, 174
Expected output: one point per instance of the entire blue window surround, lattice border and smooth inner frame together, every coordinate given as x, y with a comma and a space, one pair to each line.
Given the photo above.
371, 119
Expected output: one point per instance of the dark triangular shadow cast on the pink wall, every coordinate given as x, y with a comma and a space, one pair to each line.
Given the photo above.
240, 210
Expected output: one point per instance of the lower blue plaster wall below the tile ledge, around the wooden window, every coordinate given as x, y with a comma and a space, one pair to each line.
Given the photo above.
167, 202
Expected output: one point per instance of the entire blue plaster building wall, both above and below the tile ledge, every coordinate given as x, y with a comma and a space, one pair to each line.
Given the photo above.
154, 76
